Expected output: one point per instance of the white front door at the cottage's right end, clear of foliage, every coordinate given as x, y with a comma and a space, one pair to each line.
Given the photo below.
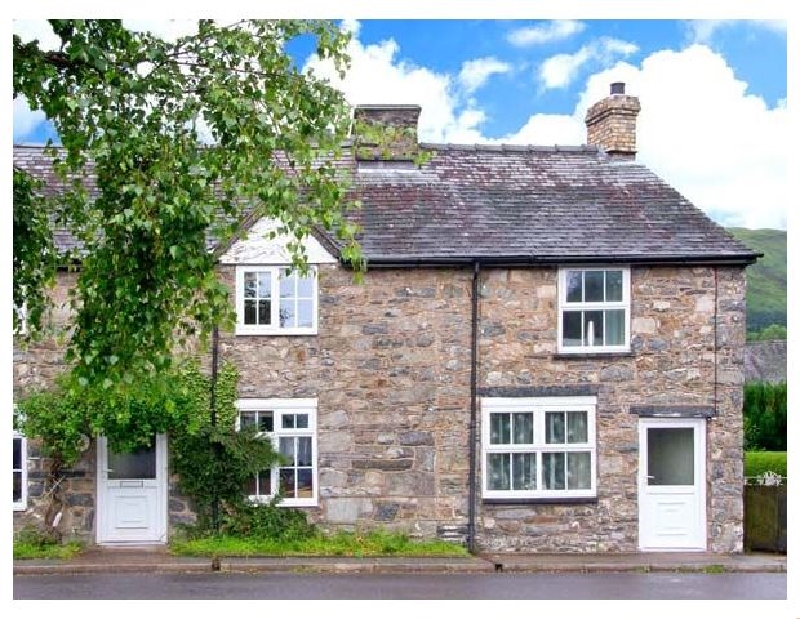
672, 479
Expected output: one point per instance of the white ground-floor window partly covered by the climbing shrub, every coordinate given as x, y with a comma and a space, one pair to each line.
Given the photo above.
291, 425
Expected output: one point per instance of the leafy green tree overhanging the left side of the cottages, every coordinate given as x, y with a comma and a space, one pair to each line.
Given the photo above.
185, 138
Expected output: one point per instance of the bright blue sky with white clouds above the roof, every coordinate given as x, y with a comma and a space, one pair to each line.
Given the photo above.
713, 92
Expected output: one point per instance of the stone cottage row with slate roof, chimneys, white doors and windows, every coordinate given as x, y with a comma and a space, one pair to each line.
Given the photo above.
546, 355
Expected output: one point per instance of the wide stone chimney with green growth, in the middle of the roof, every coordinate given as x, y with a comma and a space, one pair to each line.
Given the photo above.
396, 138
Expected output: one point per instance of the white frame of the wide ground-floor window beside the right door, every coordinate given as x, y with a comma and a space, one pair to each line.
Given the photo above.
539, 406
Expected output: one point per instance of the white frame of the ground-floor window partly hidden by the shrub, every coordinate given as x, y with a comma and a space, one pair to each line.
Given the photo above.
277, 406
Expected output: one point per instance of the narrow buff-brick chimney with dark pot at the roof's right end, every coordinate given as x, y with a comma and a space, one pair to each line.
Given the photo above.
611, 123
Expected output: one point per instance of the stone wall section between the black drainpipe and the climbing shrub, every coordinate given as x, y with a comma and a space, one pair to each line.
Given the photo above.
390, 369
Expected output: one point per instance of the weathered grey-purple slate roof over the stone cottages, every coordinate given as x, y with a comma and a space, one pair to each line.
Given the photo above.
516, 204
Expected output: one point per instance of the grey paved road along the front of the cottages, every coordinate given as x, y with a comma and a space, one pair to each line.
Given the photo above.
402, 586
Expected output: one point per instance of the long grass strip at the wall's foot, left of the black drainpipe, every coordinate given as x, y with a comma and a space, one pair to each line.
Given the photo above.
341, 544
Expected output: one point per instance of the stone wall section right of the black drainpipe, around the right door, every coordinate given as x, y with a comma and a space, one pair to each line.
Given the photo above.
672, 364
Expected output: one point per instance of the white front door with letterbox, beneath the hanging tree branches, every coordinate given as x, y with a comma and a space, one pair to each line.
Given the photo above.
132, 494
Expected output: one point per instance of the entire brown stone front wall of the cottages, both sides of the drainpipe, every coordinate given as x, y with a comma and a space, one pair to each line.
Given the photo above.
390, 367
